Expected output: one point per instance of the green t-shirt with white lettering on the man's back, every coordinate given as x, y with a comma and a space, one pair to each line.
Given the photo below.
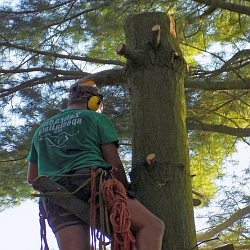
71, 140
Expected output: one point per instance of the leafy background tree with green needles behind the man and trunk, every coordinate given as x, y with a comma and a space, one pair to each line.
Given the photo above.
47, 45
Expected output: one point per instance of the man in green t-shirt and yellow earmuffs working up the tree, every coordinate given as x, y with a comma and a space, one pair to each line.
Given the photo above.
64, 148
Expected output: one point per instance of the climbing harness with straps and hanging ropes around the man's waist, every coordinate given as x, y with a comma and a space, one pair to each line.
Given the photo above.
108, 210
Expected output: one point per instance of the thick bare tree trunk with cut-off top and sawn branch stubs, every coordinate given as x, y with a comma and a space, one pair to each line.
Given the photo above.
155, 73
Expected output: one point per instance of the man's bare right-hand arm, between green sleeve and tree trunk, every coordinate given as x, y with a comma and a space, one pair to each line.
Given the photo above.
112, 157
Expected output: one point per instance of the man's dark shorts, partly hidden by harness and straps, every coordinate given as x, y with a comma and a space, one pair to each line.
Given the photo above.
57, 216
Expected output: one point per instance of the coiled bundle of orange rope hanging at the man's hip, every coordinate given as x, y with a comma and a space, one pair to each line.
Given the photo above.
115, 197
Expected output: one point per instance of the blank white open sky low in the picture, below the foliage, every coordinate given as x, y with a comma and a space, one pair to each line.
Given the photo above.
20, 229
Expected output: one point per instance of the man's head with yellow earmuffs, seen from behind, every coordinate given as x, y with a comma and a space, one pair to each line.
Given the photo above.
85, 94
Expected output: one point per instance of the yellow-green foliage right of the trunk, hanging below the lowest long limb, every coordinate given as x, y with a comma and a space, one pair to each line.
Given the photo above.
207, 156
